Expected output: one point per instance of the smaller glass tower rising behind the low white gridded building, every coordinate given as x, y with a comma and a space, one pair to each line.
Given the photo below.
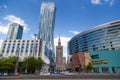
15, 31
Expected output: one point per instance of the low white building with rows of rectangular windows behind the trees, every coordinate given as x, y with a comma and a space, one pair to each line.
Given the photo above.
25, 48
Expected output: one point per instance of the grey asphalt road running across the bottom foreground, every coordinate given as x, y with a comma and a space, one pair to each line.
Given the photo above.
61, 77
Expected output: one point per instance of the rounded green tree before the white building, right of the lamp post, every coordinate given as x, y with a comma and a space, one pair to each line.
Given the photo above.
31, 64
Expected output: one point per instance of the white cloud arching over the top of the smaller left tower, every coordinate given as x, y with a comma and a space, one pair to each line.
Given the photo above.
14, 19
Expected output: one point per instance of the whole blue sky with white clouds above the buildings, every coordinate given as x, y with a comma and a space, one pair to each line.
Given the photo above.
72, 16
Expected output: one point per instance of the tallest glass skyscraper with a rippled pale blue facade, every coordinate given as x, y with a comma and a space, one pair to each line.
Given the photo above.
46, 27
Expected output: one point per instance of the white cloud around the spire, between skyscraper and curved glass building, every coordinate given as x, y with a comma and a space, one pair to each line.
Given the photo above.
64, 42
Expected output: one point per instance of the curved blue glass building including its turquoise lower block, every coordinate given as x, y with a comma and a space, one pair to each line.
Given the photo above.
103, 44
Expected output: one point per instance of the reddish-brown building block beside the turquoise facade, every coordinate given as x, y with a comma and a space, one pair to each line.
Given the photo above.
79, 61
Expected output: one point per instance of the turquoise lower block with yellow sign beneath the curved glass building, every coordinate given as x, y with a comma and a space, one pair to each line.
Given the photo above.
106, 61
